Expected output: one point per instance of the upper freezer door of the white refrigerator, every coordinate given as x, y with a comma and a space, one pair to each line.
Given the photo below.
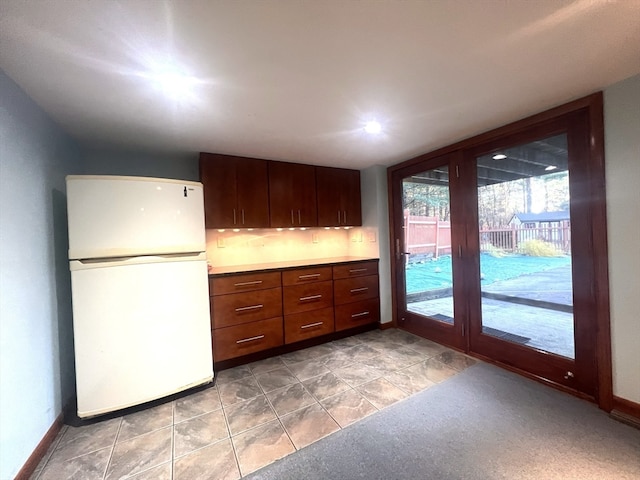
113, 216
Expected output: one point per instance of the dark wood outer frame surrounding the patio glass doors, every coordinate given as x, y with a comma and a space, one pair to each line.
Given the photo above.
592, 106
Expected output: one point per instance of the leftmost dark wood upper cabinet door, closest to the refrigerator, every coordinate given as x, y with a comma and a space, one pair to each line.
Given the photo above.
218, 176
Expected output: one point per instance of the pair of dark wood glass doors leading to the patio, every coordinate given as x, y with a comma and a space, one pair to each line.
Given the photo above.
496, 251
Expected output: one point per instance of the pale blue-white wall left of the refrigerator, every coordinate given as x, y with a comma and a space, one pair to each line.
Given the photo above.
36, 341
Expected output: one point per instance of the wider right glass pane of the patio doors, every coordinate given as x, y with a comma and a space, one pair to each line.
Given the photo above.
525, 245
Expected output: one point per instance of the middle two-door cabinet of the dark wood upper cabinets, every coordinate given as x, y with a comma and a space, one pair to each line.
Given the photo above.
292, 195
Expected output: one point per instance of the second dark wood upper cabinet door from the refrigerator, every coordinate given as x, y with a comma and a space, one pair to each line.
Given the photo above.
252, 186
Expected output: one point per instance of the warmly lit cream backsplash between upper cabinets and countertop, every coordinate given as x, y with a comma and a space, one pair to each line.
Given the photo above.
226, 248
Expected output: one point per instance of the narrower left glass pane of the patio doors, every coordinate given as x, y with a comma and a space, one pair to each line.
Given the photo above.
427, 243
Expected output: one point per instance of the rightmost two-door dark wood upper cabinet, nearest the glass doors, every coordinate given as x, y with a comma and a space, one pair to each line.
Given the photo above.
339, 202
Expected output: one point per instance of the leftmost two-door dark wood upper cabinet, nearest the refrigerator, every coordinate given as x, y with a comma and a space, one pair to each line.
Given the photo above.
236, 191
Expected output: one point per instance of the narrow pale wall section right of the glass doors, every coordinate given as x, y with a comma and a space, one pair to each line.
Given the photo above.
622, 163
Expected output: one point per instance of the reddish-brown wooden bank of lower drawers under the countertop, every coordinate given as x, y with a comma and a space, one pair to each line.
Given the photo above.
253, 312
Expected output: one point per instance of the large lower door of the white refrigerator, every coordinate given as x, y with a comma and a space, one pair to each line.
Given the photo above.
141, 330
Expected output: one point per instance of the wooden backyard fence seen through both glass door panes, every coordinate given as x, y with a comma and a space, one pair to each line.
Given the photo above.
429, 237
